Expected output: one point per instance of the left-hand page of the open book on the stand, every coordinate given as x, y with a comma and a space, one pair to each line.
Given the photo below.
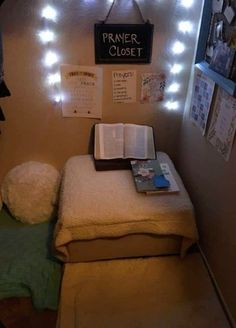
109, 141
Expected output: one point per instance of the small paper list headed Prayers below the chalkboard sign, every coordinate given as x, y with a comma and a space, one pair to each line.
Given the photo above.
124, 86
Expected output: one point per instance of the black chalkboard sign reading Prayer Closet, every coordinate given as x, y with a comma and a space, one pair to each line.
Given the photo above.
123, 43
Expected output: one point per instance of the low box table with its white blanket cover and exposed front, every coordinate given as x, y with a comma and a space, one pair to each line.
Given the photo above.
102, 216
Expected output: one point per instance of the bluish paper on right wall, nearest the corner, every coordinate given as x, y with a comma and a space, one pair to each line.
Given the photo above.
203, 89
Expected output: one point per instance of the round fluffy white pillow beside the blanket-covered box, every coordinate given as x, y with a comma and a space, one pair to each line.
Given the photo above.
30, 191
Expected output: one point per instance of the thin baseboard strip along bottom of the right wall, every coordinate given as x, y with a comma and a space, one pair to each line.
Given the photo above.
217, 289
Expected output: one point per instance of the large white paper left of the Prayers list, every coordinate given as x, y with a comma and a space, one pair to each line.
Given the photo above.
81, 88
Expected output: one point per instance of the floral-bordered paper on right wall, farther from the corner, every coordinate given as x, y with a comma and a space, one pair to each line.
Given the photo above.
223, 124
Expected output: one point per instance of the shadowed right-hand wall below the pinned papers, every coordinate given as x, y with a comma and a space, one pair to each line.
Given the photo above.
211, 182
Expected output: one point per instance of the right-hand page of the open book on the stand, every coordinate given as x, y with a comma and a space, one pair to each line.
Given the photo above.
139, 142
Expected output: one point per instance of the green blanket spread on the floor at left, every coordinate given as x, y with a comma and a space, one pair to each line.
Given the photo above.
28, 267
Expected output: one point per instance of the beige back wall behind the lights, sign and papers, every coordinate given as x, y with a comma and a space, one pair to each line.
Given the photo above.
34, 127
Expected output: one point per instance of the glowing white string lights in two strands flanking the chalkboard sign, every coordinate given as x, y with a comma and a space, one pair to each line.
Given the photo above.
52, 60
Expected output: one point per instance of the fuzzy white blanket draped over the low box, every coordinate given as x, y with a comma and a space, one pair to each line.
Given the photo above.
105, 204
